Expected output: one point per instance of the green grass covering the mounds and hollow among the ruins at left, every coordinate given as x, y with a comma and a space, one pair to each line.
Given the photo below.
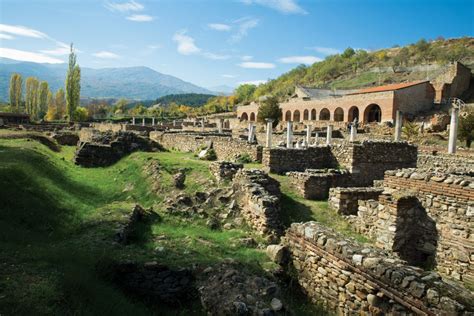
57, 222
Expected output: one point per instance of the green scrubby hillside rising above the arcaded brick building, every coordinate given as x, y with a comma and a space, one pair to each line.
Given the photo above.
360, 68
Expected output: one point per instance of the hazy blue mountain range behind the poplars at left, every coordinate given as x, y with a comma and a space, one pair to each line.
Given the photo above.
138, 83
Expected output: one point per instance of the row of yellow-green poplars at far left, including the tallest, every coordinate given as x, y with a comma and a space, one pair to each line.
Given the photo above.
39, 101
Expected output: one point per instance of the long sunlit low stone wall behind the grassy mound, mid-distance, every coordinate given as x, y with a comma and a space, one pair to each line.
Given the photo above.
226, 147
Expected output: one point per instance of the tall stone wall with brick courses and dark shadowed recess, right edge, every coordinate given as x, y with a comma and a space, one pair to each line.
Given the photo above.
425, 217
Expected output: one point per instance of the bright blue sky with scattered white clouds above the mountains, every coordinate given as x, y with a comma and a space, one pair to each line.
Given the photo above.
219, 42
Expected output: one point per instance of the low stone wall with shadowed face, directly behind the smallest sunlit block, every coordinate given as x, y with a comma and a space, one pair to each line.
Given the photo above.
315, 184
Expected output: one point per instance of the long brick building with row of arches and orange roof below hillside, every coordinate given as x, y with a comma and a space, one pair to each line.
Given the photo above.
368, 105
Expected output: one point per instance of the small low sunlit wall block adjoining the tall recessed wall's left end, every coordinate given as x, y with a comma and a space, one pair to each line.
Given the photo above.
345, 201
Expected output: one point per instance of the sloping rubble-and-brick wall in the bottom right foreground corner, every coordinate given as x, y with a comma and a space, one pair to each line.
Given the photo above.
353, 280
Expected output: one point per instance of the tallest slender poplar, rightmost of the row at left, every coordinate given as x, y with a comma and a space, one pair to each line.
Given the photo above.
73, 85
